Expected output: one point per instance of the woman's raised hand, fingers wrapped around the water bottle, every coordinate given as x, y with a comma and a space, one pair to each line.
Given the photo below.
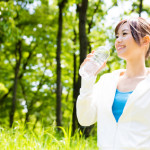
88, 57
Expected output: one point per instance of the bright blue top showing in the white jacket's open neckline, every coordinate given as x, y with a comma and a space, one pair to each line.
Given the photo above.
119, 103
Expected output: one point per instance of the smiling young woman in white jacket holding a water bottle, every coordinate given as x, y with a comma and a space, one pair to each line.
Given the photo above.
120, 101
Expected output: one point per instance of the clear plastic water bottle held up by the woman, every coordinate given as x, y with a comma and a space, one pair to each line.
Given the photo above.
90, 68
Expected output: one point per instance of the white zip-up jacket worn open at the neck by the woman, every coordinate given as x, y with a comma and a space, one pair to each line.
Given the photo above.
132, 132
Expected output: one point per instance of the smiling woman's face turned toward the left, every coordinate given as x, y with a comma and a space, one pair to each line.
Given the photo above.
125, 44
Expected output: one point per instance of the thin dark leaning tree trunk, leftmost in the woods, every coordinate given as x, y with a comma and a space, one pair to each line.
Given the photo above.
18, 62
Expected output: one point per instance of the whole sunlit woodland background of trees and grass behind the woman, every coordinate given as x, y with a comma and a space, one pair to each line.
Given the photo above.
42, 44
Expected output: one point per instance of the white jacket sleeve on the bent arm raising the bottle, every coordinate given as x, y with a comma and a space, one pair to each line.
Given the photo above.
86, 102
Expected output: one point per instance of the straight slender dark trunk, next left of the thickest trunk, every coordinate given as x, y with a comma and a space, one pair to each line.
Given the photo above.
59, 86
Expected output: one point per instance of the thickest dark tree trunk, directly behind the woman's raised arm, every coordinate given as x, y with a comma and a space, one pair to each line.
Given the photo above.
82, 9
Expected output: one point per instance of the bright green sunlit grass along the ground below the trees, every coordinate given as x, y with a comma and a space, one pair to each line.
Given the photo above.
20, 138
